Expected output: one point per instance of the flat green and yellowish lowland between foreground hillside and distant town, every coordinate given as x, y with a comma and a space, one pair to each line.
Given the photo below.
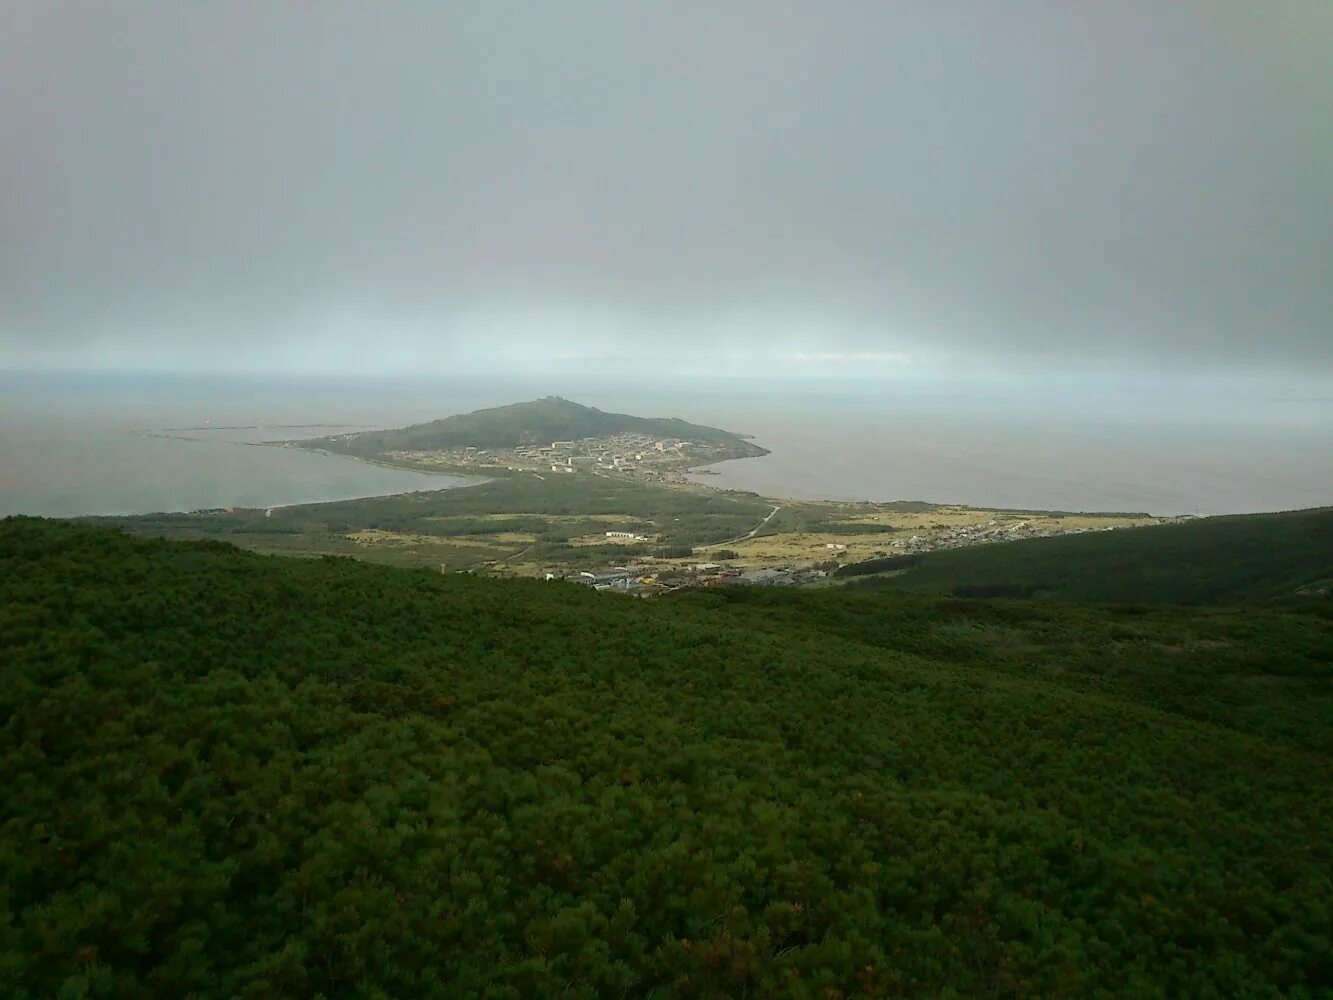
526, 526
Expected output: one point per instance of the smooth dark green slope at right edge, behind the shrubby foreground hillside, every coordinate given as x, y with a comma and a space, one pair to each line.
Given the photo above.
1248, 559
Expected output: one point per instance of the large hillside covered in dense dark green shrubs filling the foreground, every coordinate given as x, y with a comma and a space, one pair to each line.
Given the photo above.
233, 775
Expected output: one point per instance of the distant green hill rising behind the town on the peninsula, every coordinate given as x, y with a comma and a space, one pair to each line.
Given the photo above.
539, 422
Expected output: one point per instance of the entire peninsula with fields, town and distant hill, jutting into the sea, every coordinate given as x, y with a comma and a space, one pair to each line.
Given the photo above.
615, 501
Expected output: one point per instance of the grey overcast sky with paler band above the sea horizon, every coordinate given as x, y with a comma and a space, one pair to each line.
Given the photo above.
780, 186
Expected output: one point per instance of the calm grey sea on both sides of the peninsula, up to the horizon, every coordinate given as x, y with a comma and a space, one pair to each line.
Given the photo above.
145, 443
